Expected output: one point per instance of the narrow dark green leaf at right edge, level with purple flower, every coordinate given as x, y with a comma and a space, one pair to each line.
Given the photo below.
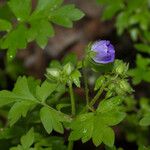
142, 48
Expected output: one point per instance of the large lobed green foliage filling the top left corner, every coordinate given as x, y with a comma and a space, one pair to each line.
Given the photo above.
21, 24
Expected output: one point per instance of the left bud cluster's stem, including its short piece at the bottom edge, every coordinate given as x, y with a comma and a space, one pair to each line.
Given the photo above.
73, 111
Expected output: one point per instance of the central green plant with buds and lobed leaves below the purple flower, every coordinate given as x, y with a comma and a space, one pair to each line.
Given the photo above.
32, 103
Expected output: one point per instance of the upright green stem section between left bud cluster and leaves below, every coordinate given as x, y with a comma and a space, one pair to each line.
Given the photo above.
73, 109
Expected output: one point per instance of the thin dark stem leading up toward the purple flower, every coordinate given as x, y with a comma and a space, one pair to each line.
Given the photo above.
85, 84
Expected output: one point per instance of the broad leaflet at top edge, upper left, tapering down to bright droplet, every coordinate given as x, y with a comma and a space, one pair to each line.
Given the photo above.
21, 9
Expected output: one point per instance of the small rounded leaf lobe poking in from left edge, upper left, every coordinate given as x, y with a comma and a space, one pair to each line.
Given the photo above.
5, 25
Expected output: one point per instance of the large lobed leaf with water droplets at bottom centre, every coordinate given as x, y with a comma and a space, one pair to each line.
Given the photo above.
96, 126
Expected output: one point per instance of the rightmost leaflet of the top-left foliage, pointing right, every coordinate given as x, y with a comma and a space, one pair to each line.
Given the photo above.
65, 15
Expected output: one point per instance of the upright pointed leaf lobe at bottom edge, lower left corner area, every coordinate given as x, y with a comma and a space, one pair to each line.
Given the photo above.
28, 139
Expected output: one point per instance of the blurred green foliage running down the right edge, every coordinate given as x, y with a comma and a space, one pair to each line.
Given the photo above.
133, 17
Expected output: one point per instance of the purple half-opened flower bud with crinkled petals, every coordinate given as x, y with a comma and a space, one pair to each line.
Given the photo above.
105, 52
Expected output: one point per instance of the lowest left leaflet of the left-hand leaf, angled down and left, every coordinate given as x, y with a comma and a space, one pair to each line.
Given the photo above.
19, 109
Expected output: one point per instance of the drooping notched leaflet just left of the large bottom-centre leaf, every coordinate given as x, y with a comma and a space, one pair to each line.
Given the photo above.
51, 120
